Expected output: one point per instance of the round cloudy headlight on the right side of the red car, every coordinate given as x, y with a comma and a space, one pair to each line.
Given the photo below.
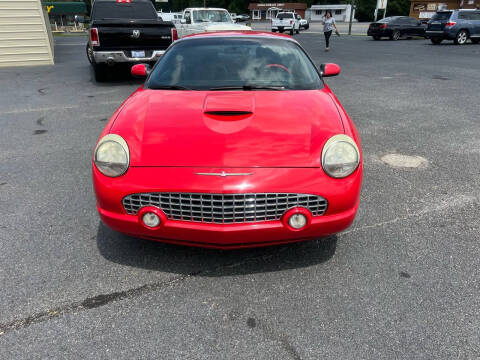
340, 156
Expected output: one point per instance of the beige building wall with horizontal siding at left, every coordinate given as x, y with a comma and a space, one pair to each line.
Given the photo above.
25, 35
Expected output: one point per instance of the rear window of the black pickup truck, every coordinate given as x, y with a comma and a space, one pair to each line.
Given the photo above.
114, 10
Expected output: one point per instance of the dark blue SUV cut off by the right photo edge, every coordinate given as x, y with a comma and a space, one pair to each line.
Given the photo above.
456, 25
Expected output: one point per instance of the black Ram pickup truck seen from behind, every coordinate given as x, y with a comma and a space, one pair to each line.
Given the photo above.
126, 32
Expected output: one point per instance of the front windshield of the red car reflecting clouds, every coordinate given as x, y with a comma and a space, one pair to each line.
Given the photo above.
235, 63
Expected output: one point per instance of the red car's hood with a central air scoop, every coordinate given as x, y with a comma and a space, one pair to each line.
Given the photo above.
228, 128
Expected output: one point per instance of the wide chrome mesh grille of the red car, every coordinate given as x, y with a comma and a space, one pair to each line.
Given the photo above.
224, 208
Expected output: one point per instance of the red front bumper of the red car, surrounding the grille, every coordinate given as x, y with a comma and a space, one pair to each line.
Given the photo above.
342, 195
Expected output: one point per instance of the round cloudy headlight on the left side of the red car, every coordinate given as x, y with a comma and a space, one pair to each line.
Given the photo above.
112, 156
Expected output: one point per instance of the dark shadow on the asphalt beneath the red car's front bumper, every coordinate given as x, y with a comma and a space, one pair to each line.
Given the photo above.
157, 256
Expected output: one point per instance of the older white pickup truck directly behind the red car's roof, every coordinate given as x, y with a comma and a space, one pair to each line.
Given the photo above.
197, 20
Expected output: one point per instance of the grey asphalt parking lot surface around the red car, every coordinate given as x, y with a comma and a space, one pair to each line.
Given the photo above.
402, 282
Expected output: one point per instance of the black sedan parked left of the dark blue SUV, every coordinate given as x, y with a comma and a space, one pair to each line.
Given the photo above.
395, 27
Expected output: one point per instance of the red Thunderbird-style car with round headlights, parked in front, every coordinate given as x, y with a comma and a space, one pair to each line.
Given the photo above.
233, 141
